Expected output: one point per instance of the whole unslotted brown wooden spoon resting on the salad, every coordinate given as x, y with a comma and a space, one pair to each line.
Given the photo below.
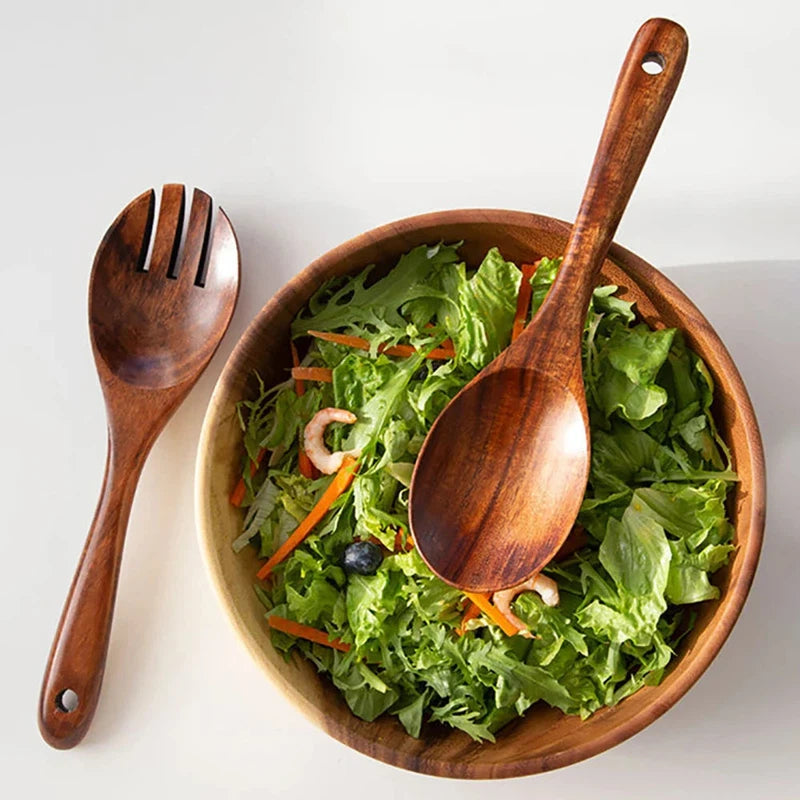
501, 476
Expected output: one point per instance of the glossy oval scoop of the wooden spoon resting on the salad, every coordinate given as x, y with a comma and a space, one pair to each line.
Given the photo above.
504, 443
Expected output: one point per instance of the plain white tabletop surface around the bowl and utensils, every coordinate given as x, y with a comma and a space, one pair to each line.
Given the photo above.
311, 122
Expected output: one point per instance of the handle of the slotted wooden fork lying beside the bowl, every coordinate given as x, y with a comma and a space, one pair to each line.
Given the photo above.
74, 673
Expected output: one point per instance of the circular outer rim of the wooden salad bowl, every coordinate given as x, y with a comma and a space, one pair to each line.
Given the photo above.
713, 639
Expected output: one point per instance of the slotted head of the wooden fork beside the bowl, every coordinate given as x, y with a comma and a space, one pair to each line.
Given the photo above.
156, 319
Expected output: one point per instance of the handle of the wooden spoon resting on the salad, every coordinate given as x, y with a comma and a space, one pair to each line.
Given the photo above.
647, 82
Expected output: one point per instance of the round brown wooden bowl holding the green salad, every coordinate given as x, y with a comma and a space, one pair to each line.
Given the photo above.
545, 738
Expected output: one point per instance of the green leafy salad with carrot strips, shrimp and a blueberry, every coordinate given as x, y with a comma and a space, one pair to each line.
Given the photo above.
324, 491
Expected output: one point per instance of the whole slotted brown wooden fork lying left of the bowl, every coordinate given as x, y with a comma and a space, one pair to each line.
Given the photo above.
153, 333
